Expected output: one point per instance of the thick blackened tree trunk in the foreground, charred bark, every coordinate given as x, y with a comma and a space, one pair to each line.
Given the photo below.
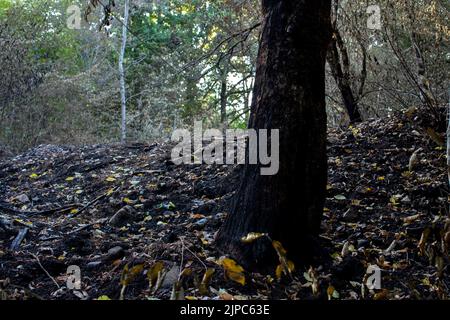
289, 95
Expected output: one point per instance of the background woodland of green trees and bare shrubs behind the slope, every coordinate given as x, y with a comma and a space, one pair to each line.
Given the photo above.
185, 60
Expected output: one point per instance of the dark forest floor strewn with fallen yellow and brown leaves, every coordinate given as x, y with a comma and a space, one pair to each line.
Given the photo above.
128, 218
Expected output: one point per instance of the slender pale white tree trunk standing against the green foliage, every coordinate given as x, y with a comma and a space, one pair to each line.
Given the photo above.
123, 96
